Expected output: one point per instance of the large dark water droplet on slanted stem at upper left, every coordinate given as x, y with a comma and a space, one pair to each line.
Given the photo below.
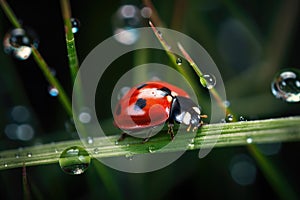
18, 41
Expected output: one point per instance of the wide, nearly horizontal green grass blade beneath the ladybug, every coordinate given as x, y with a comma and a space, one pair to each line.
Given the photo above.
233, 134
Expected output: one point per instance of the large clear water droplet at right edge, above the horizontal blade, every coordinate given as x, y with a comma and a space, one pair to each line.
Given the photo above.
286, 85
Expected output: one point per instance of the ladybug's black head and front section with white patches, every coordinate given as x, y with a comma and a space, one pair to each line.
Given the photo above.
185, 111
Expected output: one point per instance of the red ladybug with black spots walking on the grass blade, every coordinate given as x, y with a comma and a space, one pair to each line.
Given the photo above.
154, 103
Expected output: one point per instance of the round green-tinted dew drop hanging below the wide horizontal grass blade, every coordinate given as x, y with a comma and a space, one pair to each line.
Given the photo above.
74, 160
